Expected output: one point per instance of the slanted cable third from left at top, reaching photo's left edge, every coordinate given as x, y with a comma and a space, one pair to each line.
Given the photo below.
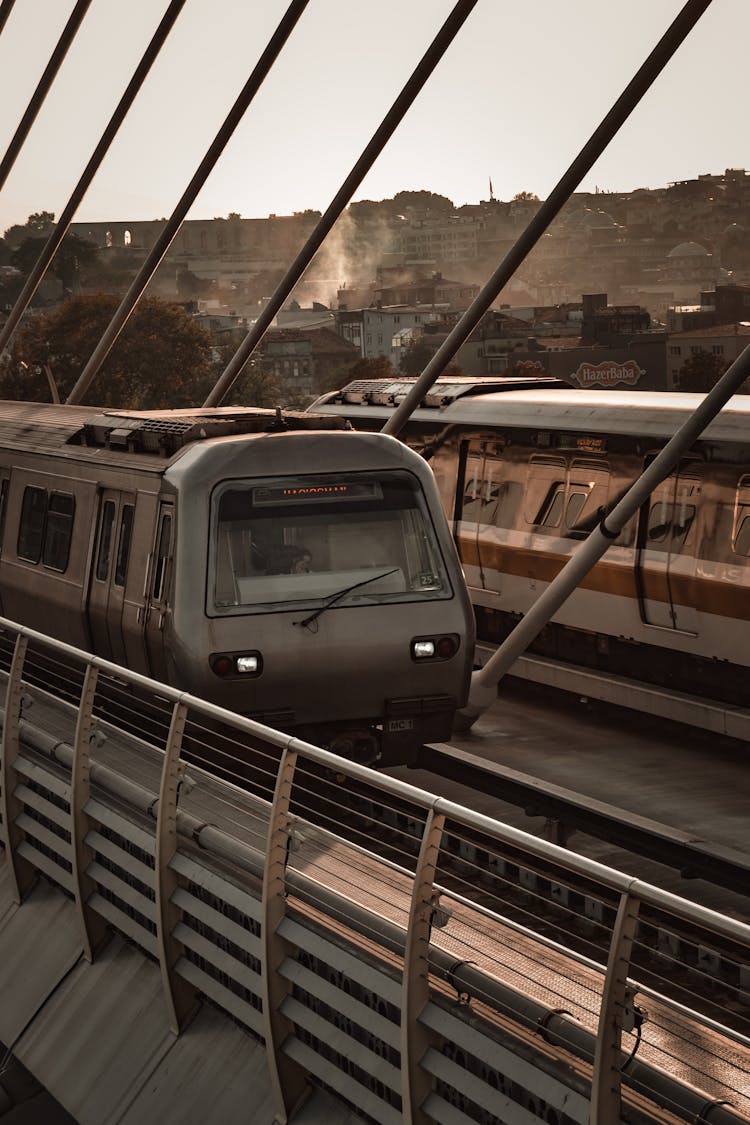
56, 239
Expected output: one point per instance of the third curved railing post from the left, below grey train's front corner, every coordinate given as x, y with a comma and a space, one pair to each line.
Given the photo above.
180, 998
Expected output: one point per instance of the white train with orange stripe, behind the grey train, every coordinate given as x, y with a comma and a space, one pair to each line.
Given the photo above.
527, 471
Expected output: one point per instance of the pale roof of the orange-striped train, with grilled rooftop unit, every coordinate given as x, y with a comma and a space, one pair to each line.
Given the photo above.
484, 406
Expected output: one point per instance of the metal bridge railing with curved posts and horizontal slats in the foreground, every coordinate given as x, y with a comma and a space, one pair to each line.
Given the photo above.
419, 960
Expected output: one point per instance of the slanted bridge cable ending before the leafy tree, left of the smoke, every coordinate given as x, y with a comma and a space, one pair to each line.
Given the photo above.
166, 239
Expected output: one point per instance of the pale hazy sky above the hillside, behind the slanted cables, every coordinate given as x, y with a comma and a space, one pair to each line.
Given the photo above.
516, 97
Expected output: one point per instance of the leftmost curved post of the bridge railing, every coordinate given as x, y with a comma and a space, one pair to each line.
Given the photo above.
23, 872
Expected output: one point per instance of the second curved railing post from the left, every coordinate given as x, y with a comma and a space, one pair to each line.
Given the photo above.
94, 929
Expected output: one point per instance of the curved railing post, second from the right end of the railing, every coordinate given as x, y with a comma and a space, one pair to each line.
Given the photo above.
415, 1039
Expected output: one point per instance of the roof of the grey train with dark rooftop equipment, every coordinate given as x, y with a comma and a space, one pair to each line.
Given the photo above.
152, 437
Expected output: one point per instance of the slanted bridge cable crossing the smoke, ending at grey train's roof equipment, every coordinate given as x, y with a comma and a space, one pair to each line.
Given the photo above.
376, 146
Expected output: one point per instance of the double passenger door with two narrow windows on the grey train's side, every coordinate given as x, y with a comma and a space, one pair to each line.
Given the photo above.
110, 569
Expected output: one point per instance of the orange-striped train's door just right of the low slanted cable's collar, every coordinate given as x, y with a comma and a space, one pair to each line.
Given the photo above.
665, 559
